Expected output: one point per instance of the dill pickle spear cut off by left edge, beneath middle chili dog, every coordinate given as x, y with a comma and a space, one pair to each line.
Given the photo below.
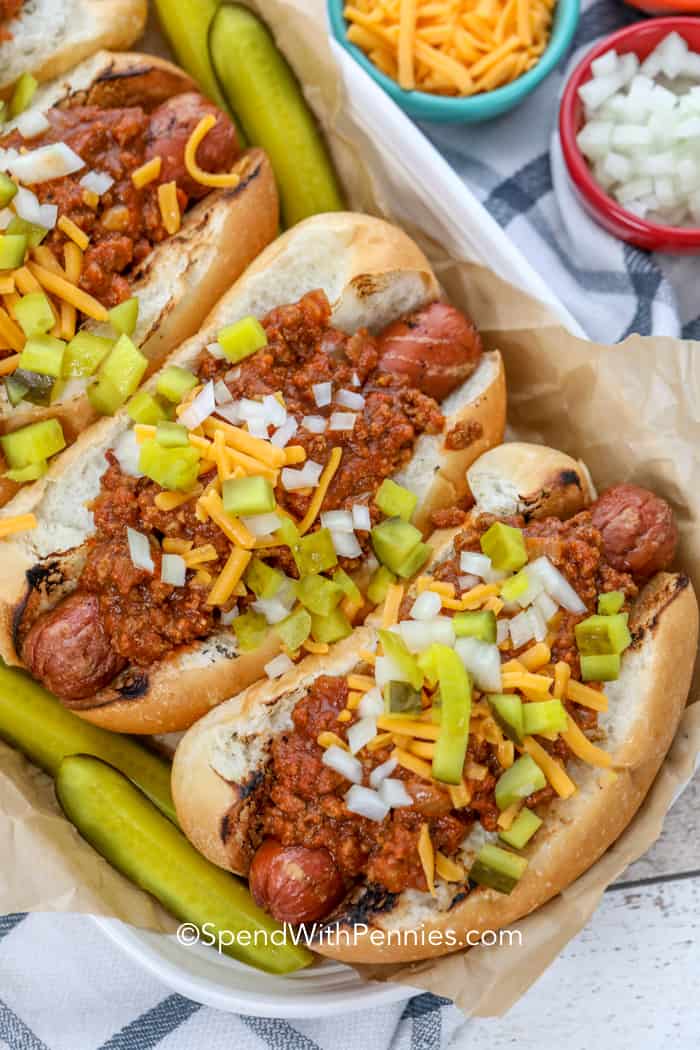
36, 724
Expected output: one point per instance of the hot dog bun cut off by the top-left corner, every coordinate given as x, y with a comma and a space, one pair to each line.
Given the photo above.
52, 36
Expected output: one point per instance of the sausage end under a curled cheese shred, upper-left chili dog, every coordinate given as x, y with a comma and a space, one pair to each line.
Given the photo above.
172, 125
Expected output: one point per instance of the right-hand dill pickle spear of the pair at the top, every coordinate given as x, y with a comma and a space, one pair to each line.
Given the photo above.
267, 101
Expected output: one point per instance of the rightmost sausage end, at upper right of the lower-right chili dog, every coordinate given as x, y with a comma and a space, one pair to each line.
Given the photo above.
639, 531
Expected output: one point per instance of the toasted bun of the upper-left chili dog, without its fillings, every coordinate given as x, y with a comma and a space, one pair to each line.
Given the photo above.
184, 277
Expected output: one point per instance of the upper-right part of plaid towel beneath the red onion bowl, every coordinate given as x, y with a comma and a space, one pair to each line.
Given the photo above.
516, 169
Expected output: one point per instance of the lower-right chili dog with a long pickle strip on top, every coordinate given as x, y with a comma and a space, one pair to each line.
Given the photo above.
457, 768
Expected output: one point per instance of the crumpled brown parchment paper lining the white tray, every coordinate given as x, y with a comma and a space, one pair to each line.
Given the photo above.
632, 412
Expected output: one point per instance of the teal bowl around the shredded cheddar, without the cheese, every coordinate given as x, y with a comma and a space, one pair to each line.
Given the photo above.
479, 108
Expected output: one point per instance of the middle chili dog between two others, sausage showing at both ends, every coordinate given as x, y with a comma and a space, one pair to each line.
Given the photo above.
298, 463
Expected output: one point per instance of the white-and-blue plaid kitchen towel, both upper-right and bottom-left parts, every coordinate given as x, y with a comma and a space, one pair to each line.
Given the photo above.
63, 986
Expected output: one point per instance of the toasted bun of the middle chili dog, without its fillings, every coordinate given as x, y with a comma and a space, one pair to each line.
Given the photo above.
372, 275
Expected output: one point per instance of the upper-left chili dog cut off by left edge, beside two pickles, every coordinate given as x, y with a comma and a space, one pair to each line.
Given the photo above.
130, 208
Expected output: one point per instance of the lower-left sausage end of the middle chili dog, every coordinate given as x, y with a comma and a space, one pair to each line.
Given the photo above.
69, 652
